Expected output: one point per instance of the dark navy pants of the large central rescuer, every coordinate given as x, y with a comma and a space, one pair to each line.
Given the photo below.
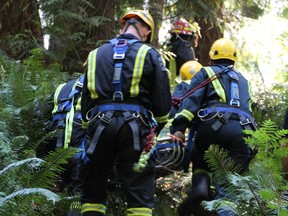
115, 148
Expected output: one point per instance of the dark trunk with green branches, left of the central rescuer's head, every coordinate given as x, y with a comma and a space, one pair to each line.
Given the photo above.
77, 37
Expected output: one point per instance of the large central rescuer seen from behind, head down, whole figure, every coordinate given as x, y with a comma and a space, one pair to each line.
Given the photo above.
126, 84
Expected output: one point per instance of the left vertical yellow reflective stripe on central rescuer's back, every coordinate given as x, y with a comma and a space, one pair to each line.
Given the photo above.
91, 73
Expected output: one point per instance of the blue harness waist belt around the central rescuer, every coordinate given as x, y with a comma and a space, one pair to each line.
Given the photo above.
117, 107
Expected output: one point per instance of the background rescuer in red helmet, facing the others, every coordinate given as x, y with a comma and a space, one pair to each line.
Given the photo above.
181, 44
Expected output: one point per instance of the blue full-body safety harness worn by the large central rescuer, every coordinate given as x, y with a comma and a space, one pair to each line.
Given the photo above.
131, 112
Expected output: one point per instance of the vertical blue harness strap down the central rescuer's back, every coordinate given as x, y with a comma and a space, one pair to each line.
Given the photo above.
120, 46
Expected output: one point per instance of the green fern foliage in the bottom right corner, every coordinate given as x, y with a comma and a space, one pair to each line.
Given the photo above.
262, 190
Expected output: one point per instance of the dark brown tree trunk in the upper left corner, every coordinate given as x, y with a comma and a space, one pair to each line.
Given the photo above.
20, 27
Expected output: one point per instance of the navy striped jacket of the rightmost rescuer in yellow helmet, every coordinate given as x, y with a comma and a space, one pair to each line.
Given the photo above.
216, 92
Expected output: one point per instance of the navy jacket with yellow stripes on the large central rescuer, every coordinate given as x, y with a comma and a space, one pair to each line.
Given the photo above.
144, 79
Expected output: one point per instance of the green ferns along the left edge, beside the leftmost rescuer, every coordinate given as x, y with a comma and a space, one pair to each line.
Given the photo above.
26, 182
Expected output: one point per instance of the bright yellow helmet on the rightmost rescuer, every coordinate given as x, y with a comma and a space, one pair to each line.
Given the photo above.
223, 48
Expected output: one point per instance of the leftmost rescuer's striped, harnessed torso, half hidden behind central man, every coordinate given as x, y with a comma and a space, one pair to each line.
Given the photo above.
67, 121
